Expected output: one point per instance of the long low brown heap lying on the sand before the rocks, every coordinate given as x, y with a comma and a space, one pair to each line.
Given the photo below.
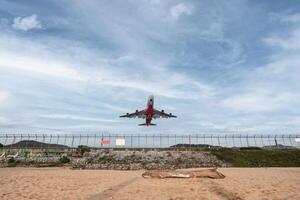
205, 173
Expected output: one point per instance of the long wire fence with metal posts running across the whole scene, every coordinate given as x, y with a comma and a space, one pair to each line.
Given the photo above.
102, 140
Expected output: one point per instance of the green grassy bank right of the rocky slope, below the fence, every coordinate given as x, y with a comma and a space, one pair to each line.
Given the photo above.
256, 157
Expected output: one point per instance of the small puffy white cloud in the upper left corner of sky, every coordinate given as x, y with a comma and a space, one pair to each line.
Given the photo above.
26, 23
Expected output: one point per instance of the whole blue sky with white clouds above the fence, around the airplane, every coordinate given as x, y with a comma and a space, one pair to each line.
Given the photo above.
72, 64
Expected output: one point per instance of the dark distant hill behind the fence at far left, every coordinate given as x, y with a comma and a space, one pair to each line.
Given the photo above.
35, 144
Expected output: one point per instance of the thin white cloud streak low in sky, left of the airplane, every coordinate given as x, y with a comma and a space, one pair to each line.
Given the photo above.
76, 117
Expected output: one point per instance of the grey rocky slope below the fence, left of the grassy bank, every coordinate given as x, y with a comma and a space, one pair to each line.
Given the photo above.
133, 160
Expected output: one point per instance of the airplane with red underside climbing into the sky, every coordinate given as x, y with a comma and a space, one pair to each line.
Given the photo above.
149, 113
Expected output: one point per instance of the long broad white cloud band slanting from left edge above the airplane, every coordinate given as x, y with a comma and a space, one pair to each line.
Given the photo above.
34, 59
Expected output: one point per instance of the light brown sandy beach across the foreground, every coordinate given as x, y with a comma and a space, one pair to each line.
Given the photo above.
64, 183
